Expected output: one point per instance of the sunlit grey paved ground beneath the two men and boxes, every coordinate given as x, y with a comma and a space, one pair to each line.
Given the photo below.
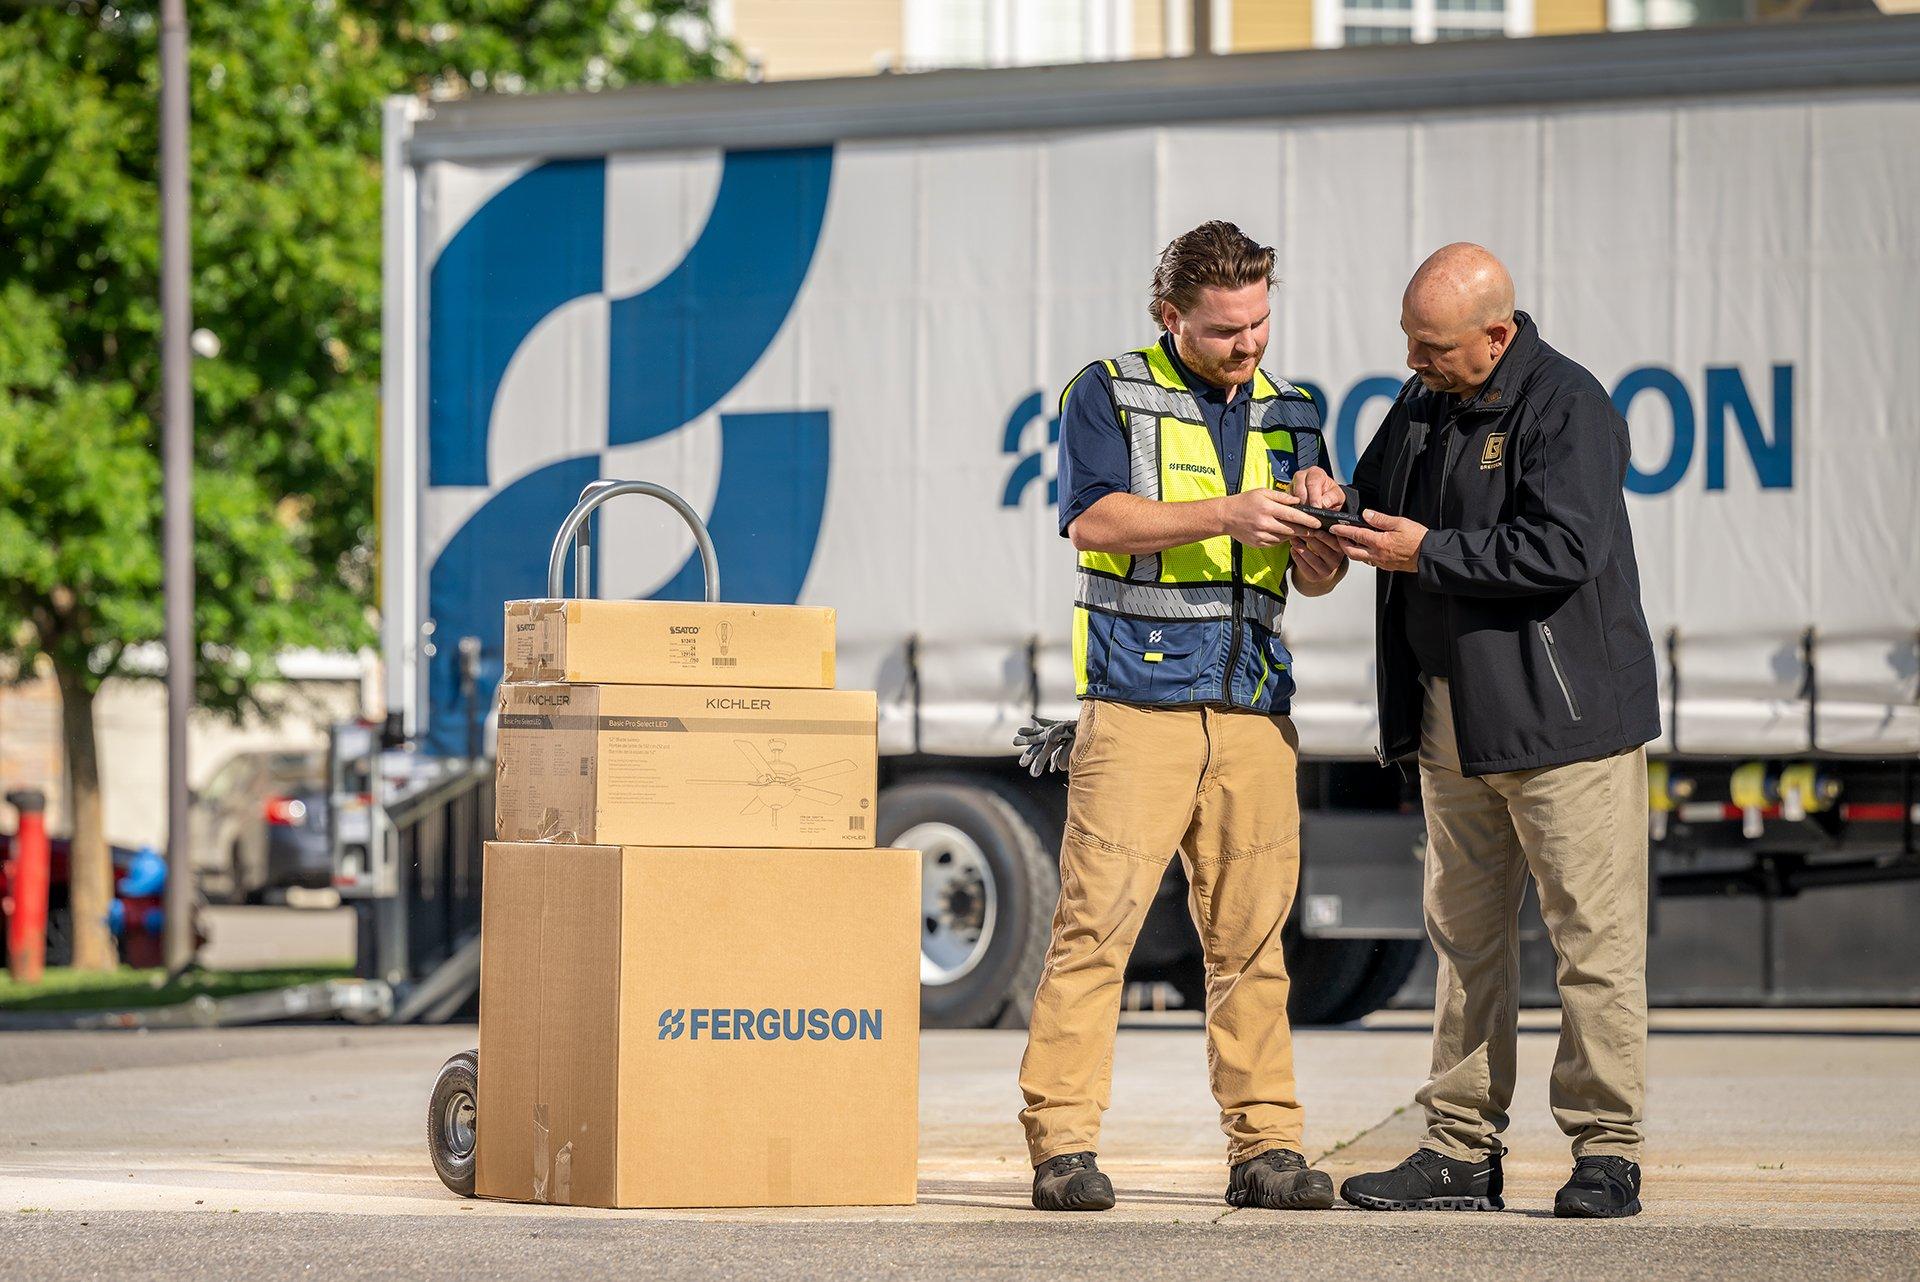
1781, 1149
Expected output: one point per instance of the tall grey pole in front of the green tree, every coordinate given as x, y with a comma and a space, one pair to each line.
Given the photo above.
178, 463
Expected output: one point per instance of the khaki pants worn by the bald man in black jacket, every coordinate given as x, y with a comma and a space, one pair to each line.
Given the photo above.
1581, 832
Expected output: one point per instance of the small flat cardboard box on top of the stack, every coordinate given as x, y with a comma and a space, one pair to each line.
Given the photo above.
671, 644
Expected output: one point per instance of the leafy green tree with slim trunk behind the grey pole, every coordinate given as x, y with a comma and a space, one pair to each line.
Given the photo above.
287, 279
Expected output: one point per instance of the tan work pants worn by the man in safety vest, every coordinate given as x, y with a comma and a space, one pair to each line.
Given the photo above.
1220, 790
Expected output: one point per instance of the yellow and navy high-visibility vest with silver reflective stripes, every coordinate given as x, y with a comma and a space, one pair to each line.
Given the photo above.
1211, 592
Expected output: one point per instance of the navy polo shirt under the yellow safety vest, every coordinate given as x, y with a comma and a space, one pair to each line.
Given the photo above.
1093, 444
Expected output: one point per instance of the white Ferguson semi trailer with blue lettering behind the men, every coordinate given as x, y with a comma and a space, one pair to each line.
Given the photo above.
838, 316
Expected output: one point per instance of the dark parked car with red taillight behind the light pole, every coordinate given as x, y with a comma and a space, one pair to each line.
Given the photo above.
260, 826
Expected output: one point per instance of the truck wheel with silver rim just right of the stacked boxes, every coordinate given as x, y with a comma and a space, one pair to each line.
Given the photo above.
990, 884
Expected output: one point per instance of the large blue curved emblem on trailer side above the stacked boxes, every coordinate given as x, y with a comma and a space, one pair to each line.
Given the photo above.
675, 352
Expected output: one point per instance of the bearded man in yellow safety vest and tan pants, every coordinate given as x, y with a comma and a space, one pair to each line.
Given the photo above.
1174, 487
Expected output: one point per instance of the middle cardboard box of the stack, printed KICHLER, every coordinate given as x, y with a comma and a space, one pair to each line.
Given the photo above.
686, 767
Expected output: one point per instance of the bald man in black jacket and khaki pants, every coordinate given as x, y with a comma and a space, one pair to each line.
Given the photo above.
1514, 661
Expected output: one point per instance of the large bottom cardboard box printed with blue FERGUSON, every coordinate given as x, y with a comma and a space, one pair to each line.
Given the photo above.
700, 1028
